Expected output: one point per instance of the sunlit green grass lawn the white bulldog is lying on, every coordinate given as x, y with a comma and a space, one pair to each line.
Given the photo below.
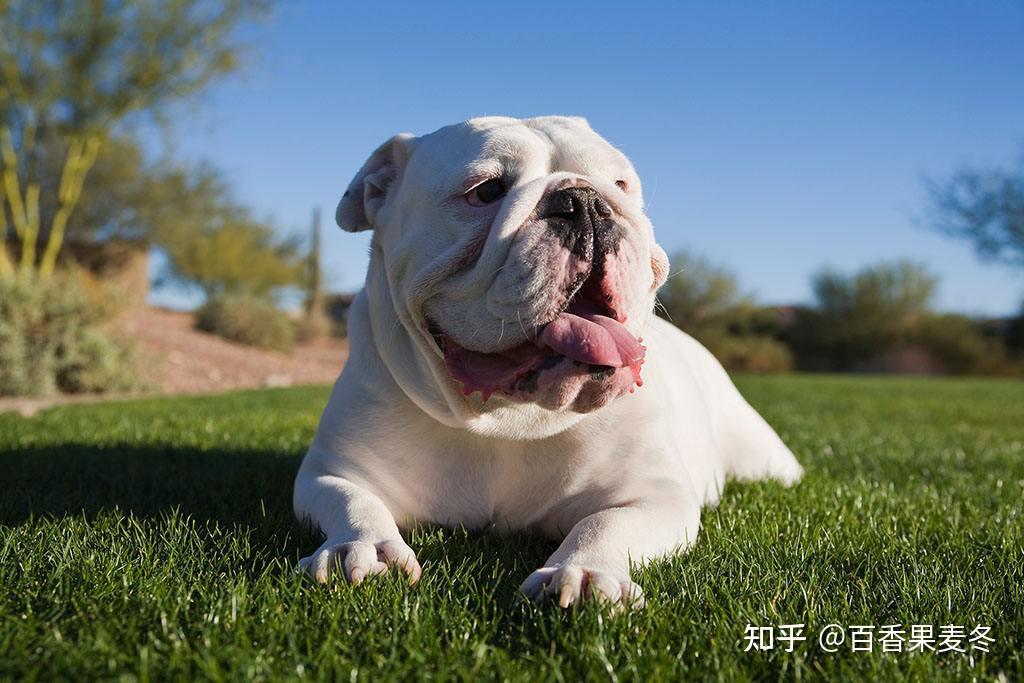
155, 540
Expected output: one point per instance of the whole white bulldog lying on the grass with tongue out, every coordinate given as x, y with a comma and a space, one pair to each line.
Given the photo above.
506, 369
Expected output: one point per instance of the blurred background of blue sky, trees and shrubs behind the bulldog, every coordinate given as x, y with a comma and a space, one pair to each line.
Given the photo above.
841, 185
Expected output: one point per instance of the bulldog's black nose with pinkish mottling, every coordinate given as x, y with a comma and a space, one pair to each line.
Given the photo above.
583, 221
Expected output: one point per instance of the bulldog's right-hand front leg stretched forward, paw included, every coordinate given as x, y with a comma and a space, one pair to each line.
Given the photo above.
593, 562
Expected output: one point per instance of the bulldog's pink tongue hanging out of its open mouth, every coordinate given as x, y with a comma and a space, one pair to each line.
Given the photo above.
594, 339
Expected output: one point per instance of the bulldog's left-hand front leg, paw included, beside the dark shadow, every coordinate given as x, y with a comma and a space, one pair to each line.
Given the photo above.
363, 538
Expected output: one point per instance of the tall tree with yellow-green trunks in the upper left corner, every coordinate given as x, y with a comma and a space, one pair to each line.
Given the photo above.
72, 72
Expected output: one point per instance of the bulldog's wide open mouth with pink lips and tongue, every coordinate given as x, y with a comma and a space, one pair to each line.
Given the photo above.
587, 341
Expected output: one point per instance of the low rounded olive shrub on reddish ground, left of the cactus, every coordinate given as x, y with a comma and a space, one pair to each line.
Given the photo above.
247, 320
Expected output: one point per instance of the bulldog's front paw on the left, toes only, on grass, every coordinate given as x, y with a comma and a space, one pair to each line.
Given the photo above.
359, 560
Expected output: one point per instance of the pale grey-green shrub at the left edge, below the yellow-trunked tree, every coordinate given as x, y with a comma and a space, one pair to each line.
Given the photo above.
51, 340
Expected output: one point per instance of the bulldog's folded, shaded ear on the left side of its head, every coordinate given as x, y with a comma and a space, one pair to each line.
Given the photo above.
369, 190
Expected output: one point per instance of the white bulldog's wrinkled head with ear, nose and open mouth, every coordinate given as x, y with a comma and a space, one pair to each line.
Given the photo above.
520, 254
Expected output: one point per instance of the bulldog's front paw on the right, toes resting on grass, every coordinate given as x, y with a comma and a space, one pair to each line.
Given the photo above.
573, 584
